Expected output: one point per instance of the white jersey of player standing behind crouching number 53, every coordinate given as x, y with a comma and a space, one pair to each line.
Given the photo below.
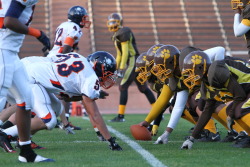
66, 33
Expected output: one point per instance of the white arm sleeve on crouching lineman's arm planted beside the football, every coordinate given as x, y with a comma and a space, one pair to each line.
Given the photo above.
181, 100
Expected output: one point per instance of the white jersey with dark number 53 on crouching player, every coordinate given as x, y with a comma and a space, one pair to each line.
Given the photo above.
71, 74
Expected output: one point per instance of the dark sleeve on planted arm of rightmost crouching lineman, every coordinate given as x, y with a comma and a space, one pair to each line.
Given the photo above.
204, 118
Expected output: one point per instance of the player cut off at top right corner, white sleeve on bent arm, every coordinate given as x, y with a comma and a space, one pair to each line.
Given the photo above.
242, 25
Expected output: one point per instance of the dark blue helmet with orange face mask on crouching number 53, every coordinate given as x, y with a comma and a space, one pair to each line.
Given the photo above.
104, 65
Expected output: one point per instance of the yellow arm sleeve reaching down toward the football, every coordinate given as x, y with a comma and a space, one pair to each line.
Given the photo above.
161, 102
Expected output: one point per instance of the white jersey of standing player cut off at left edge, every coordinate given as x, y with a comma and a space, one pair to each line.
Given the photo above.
8, 39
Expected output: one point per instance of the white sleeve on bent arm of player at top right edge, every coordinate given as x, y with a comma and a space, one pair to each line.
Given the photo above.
239, 28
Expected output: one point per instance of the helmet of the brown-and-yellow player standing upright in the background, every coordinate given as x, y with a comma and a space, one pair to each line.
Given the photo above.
114, 22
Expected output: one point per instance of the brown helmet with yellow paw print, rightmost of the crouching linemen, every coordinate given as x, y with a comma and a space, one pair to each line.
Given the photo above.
195, 67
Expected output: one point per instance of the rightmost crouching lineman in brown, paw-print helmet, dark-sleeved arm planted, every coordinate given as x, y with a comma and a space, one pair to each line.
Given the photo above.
222, 80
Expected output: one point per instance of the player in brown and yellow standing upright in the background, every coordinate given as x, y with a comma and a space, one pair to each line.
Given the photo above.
127, 53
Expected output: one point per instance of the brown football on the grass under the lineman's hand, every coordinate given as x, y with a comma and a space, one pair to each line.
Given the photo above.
140, 132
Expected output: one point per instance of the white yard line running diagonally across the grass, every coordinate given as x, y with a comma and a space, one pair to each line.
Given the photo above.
150, 158
